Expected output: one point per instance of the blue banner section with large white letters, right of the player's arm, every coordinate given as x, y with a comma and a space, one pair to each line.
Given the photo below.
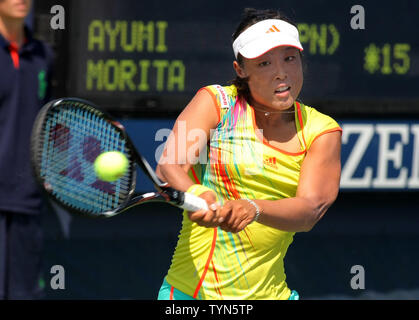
380, 155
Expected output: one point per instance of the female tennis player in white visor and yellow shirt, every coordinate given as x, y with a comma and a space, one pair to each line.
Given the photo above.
272, 169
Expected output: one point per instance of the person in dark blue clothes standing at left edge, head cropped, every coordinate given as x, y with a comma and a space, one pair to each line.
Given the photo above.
25, 68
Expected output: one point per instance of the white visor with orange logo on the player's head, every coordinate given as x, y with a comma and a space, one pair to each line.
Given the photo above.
264, 36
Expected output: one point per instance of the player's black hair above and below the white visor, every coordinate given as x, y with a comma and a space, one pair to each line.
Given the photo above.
250, 17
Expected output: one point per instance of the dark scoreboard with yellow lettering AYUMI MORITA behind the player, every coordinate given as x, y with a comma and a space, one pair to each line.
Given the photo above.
150, 57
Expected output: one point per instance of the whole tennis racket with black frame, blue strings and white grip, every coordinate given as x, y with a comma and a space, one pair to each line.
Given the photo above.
67, 137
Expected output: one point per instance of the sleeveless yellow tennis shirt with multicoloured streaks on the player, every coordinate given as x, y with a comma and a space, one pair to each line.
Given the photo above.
210, 263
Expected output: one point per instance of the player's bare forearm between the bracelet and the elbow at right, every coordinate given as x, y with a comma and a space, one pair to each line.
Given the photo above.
292, 214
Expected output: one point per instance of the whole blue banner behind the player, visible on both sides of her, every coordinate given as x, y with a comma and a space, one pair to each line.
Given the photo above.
376, 155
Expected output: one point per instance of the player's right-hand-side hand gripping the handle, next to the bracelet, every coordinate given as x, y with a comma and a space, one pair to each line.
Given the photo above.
236, 215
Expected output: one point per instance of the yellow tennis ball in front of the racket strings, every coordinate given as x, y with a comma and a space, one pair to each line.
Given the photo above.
110, 166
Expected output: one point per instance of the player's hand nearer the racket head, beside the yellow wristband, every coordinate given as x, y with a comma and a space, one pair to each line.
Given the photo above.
207, 218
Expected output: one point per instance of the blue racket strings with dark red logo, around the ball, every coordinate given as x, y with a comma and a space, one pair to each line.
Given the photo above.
73, 138
